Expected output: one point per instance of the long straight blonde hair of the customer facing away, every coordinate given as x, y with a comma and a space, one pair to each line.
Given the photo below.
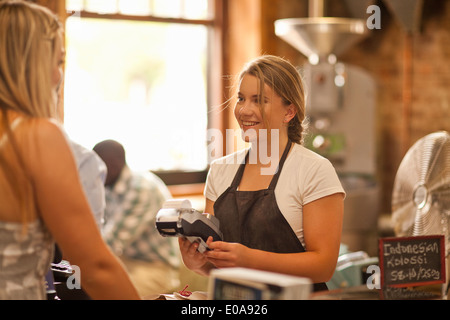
29, 39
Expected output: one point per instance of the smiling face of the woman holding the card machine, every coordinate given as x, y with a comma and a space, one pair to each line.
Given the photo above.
255, 112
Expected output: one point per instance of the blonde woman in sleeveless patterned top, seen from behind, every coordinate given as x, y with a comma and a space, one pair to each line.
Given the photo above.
42, 200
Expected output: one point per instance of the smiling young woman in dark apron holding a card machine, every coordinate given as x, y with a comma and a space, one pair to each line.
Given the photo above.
289, 221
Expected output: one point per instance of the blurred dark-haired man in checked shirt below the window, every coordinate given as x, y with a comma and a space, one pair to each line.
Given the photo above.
132, 202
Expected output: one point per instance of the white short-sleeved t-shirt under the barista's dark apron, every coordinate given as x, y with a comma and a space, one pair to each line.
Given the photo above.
305, 177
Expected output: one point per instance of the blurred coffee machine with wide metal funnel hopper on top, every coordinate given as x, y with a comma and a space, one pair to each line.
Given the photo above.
341, 102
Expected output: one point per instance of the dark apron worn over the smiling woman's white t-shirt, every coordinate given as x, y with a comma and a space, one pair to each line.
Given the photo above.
253, 218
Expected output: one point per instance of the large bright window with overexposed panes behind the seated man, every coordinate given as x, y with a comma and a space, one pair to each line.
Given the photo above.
137, 72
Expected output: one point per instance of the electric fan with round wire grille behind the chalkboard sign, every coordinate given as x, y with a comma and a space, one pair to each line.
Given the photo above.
421, 194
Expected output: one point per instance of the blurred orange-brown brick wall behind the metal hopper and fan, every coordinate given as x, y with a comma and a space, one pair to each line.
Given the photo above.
411, 70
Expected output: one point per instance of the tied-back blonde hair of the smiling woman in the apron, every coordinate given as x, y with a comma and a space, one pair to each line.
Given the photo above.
286, 81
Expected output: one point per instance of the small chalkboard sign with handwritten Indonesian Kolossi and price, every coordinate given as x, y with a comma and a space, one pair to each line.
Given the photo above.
412, 261
